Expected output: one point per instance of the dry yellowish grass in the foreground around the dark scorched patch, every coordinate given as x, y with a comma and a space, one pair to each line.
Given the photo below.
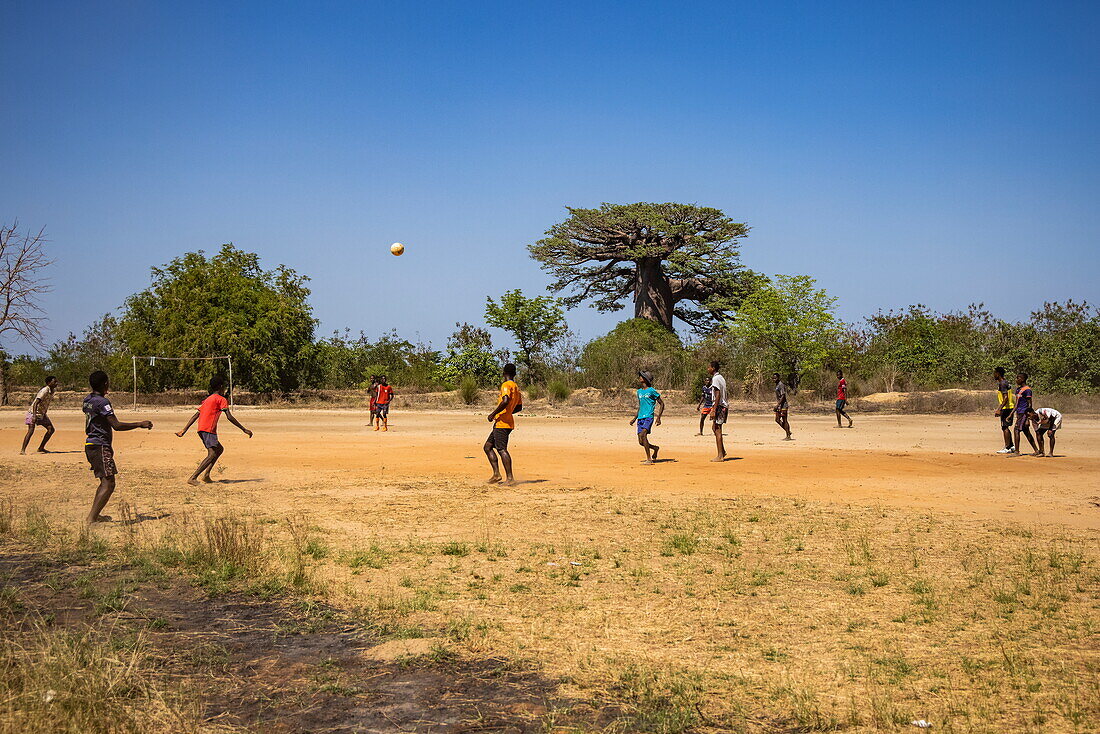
656, 616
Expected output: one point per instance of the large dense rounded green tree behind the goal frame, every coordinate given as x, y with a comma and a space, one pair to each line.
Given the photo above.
226, 304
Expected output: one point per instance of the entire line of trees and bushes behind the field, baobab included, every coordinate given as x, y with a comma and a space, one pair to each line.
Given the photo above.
677, 262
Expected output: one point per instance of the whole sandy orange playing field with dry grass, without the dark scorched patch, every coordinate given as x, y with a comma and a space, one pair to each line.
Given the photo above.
850, 579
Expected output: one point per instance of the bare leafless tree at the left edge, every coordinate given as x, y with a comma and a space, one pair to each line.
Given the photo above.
24, 261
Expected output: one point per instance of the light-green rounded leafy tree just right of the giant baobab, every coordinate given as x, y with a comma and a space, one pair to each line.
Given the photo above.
794, 322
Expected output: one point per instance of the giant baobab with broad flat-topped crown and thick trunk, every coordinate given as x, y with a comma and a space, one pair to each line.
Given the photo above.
676, 260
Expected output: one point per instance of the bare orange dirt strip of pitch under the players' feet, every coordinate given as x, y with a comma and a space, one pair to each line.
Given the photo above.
927, 463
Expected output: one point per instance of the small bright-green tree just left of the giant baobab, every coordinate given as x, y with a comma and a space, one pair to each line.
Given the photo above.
536, 324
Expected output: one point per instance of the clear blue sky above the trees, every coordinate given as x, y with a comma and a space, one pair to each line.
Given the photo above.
899, 152
